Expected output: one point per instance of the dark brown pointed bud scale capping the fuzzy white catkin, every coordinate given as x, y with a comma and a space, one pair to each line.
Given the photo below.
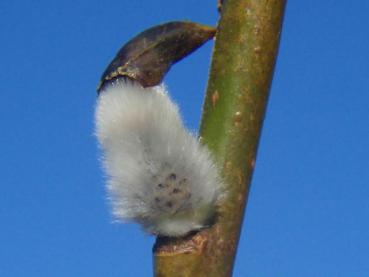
148, 56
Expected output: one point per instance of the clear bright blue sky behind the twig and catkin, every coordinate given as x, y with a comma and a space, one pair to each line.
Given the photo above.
308, 211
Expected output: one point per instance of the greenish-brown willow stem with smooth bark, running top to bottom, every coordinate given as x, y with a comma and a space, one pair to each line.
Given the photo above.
240, 77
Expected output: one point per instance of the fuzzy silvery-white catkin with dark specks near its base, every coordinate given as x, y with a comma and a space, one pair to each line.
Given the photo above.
159, 175
